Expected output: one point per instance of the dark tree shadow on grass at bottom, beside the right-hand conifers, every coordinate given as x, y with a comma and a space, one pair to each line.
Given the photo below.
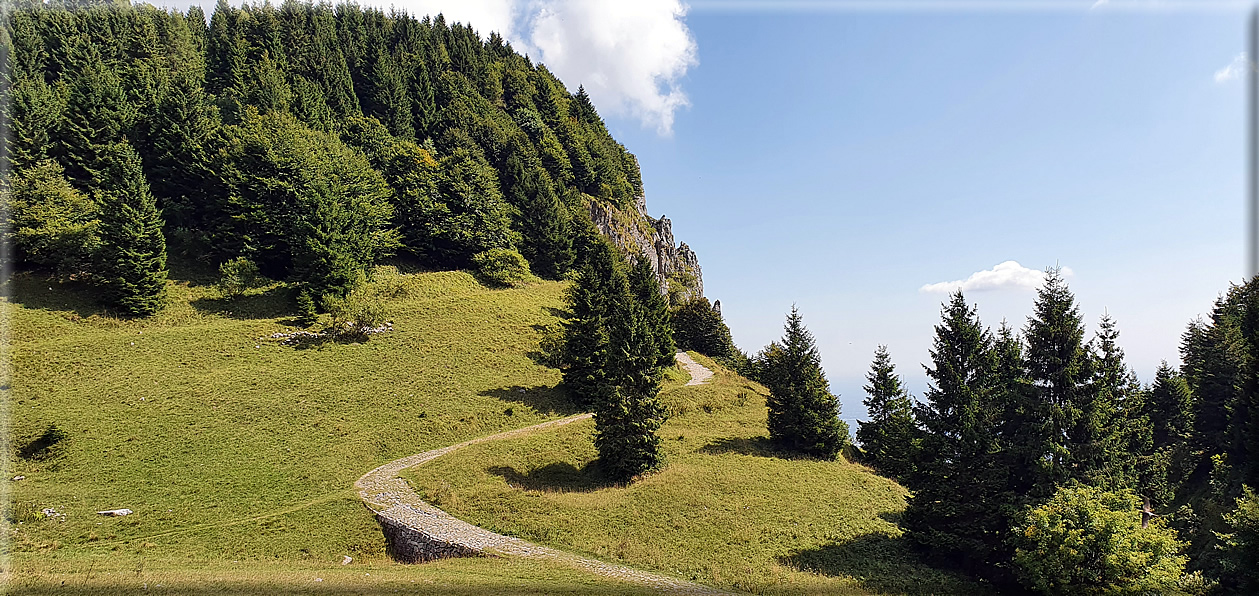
882, 564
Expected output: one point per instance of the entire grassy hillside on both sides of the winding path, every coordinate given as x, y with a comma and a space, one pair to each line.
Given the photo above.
239, 454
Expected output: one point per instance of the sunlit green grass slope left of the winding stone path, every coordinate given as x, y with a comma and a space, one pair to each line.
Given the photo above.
236, 452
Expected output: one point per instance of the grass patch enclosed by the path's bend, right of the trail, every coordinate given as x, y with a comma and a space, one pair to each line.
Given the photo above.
727, 510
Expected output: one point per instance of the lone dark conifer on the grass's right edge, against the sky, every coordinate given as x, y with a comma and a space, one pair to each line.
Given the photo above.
804, 415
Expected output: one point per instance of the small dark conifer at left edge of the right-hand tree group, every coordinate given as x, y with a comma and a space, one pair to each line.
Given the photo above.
889, 439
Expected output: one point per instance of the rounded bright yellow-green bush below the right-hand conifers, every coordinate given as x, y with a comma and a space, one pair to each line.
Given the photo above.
1088, 541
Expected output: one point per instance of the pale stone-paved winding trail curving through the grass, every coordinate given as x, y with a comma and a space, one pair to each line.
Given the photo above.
397, 506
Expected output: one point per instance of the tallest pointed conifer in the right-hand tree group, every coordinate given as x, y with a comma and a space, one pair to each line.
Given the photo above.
1059, 370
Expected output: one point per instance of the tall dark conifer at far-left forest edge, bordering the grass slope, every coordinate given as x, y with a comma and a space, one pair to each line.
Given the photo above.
134, 250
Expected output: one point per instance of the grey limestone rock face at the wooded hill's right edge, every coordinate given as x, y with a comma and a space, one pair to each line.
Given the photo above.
635, 232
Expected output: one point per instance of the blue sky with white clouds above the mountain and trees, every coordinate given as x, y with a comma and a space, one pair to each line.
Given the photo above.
842, 156
